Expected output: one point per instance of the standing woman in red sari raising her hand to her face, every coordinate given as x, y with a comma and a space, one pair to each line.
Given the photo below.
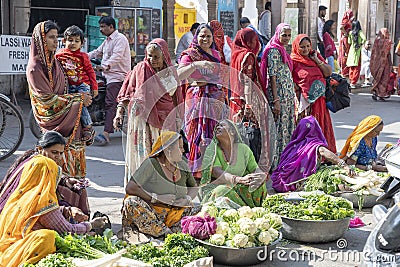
309, 72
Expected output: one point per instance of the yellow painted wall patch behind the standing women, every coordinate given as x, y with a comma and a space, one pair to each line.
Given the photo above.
183, 20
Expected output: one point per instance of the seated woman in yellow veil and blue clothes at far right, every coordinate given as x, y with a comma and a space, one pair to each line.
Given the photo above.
360, 147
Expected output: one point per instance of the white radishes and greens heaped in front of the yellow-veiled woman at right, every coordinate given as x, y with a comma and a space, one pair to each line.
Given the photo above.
328, 178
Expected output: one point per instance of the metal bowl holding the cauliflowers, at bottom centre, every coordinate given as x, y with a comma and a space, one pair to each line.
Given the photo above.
240, 256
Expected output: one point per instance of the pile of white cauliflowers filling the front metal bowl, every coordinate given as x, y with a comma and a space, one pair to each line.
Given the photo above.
243, 228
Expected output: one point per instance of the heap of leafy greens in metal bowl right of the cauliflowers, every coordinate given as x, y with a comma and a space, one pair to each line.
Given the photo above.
313, 207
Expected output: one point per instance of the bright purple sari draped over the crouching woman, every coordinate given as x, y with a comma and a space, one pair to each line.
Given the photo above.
300, 157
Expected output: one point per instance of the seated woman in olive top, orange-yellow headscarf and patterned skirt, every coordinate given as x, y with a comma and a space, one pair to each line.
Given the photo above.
160, 192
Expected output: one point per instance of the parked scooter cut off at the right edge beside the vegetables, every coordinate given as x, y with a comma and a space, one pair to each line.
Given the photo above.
383, 244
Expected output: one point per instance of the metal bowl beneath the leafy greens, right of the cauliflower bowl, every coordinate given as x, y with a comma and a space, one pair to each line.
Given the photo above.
309, 231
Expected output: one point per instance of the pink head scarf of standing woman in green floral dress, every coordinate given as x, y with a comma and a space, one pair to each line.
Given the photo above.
275, 43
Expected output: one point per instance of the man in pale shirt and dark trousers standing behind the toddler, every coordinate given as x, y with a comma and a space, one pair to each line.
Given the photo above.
115, 64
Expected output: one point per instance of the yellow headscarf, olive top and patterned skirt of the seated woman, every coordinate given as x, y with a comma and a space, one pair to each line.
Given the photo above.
156, 218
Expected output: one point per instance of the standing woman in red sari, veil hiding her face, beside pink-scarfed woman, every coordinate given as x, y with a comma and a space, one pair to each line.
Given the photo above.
248, 100
